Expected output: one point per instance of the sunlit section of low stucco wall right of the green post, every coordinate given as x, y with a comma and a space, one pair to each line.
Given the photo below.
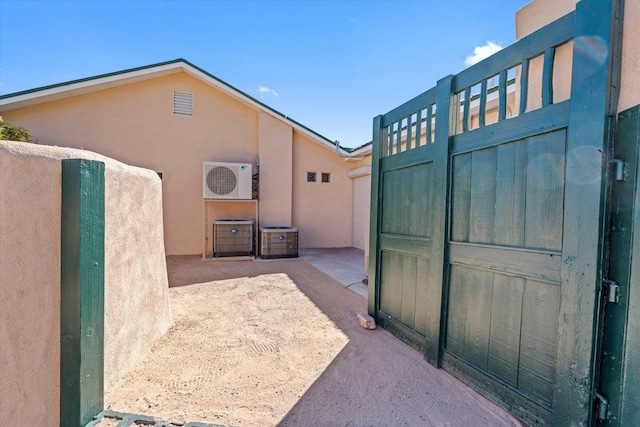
137, 307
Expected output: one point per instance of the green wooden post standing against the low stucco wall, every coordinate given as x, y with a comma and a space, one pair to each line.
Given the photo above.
82, 292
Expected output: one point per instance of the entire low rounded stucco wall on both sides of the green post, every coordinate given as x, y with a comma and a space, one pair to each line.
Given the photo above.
136, 289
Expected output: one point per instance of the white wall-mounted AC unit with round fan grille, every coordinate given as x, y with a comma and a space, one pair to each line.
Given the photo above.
226, 180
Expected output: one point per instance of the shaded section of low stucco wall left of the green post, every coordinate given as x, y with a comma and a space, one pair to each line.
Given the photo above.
29, 289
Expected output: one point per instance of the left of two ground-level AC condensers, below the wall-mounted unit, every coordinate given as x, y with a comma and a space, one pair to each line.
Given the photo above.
232, 238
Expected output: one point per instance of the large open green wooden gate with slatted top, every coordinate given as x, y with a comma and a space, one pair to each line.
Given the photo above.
488, 227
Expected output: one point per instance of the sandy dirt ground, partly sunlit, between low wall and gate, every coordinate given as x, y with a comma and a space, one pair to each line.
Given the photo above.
277, 342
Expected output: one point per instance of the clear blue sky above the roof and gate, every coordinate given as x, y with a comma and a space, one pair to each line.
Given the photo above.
330, 65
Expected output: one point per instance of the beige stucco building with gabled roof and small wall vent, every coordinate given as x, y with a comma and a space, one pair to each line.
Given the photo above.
172, 117
